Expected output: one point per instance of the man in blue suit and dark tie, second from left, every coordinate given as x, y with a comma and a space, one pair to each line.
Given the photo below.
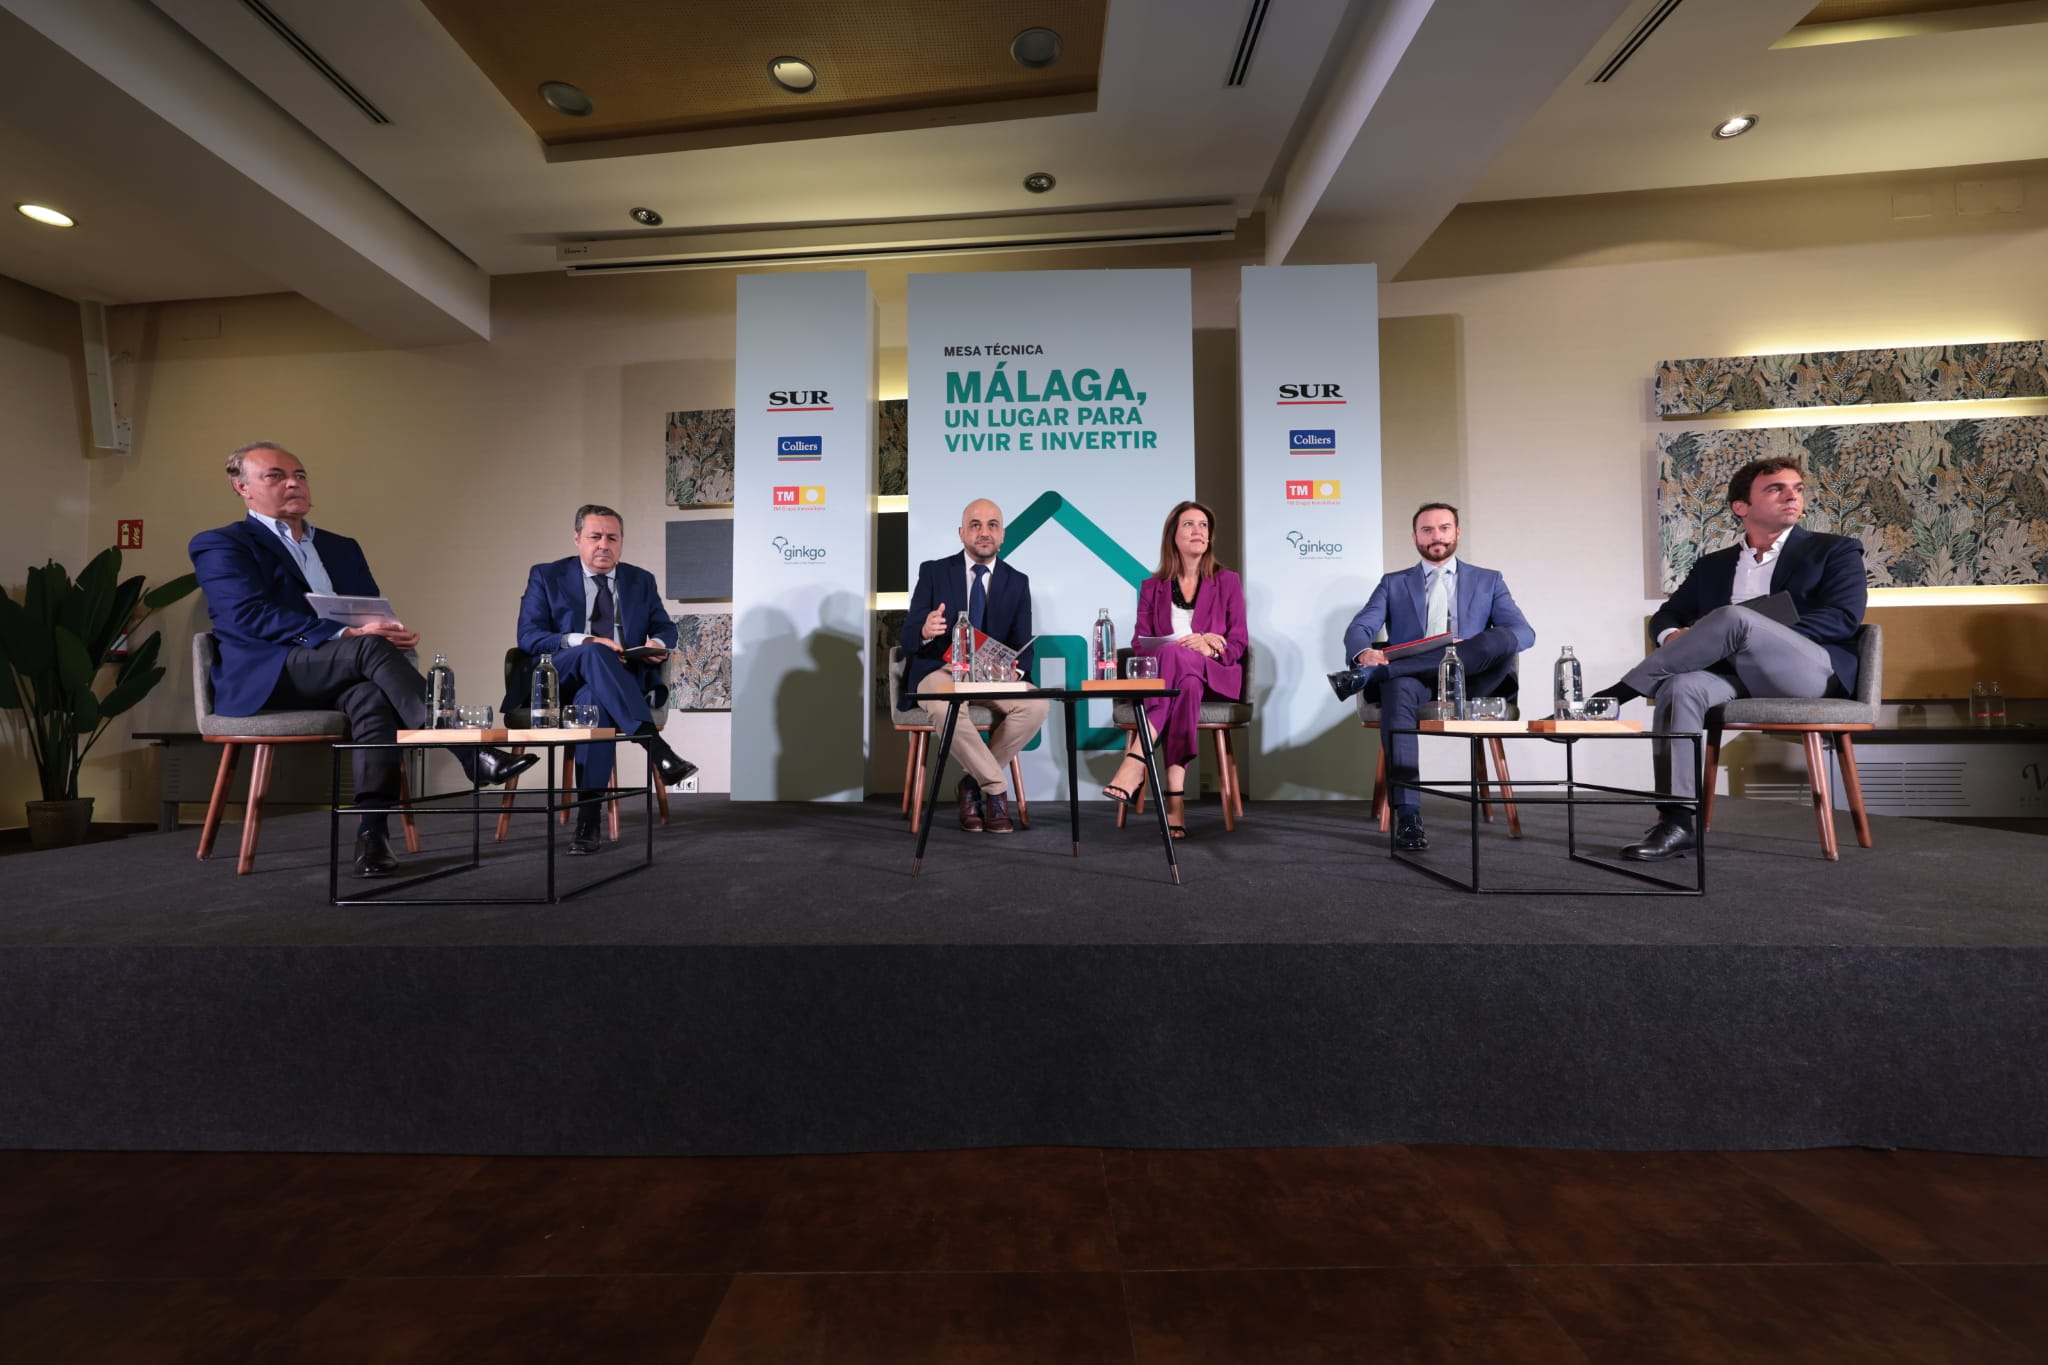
589, 611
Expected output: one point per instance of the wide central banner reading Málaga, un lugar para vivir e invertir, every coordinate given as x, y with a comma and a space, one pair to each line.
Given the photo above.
1066, 398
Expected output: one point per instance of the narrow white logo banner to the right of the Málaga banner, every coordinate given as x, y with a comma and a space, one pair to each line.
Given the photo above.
1310, 404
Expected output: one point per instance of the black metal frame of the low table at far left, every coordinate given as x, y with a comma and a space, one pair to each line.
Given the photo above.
558, 801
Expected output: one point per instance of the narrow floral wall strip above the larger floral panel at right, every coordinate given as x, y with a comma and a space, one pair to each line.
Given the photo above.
1852, 378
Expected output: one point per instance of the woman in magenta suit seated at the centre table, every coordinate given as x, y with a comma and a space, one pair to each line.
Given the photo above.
1201, 607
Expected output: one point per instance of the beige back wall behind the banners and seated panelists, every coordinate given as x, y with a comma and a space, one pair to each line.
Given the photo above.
1525, 398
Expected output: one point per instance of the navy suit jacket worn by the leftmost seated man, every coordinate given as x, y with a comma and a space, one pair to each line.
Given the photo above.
257, 601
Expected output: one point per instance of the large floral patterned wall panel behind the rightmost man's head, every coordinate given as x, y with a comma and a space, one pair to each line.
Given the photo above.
1934, 502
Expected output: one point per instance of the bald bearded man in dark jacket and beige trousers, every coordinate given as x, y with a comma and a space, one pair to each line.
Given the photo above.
996, 601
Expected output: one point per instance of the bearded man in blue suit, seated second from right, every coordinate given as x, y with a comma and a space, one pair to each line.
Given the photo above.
1441, 597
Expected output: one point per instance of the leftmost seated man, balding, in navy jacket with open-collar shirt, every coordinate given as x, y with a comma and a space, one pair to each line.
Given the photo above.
278, 654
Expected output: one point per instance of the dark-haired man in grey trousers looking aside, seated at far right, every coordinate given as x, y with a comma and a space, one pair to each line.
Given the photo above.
1797, 640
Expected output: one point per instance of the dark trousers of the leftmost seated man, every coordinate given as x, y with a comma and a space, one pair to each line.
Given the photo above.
376, 687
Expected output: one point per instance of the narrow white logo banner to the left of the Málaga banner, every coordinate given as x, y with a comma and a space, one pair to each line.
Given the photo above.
804, 535
